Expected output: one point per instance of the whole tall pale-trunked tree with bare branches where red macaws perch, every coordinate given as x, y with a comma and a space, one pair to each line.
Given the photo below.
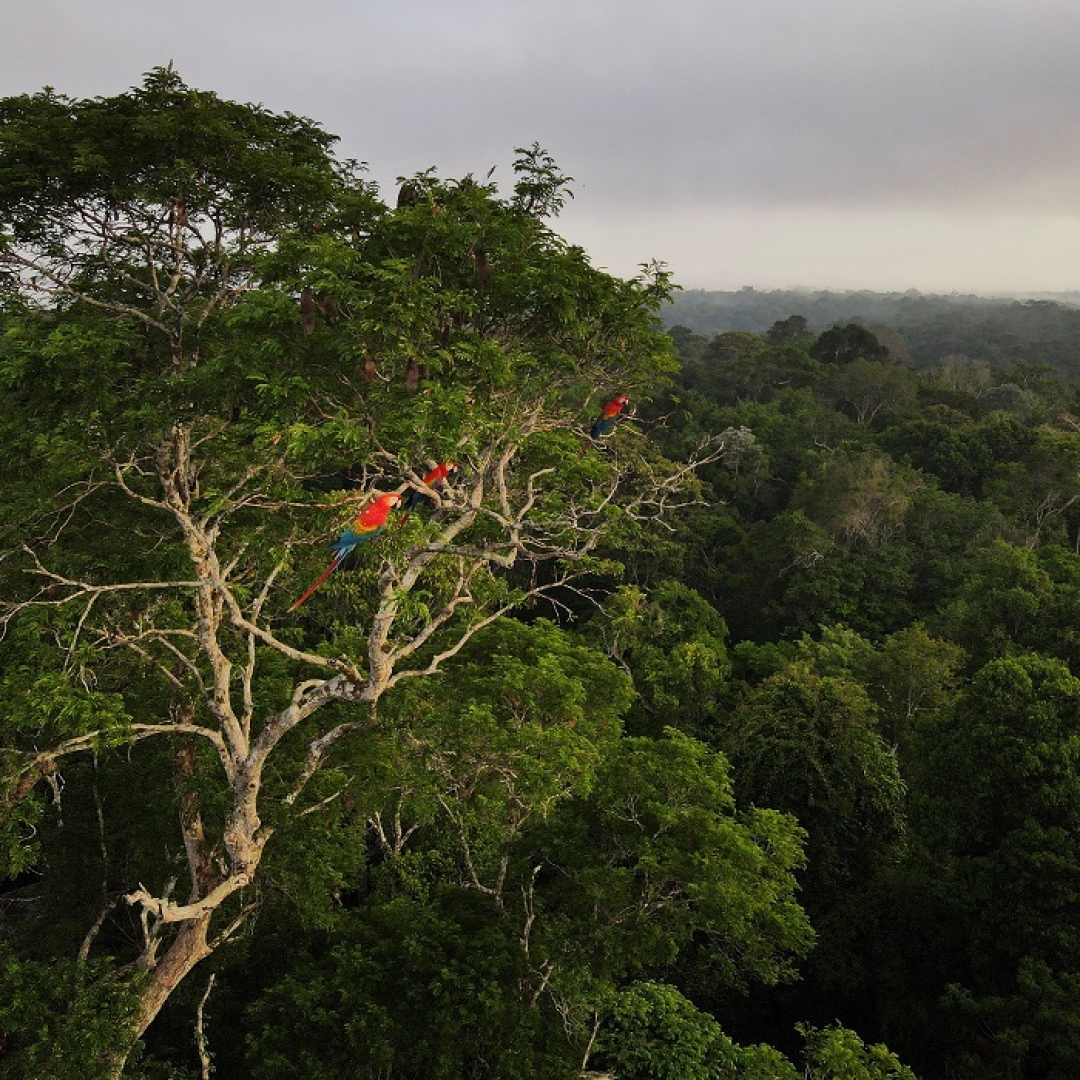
220, 434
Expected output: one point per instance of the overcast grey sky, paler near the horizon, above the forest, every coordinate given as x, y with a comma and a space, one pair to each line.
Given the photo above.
832, 144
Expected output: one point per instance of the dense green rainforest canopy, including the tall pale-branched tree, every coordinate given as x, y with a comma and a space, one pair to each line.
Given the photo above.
735, 737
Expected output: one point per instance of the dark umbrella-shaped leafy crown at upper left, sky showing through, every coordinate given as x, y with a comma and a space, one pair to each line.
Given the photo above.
154, 206
